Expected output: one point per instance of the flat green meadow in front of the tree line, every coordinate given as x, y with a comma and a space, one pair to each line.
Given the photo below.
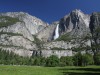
35, 70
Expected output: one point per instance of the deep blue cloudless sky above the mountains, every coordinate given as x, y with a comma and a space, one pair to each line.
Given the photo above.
49, 10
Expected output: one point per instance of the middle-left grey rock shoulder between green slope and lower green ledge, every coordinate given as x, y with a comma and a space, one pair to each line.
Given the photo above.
18, 28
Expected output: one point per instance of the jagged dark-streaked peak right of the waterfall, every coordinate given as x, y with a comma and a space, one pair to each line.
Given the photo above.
77, 23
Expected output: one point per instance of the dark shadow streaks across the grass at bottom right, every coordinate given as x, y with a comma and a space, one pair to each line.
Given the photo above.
77, 71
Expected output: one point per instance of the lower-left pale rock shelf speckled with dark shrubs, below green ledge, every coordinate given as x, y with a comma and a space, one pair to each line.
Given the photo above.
16, 40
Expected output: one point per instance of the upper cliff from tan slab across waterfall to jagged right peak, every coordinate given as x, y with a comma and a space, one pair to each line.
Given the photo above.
76, 24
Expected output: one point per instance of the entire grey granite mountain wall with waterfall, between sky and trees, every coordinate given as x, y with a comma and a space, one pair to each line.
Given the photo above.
27, 35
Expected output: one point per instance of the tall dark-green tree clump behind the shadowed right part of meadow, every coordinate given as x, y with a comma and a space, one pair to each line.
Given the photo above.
83, 59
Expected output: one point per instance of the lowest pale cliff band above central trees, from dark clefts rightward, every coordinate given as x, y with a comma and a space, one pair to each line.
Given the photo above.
48, 53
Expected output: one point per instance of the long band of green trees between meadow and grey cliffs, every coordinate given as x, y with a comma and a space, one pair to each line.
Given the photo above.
9, 58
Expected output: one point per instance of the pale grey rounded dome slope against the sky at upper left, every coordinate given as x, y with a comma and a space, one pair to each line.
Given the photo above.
33, 24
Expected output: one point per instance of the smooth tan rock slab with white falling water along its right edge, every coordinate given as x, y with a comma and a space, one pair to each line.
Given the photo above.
48, 33
